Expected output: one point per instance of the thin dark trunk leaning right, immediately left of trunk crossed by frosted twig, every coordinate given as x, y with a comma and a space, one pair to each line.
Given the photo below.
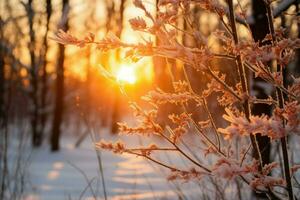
43, 114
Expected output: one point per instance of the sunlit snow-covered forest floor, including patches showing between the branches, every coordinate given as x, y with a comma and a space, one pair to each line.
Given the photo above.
73, 173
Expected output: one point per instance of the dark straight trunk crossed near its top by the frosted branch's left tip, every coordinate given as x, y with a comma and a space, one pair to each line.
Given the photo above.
59, 98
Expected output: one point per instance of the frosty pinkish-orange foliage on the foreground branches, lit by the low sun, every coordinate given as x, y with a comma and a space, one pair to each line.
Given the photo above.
218, 142
